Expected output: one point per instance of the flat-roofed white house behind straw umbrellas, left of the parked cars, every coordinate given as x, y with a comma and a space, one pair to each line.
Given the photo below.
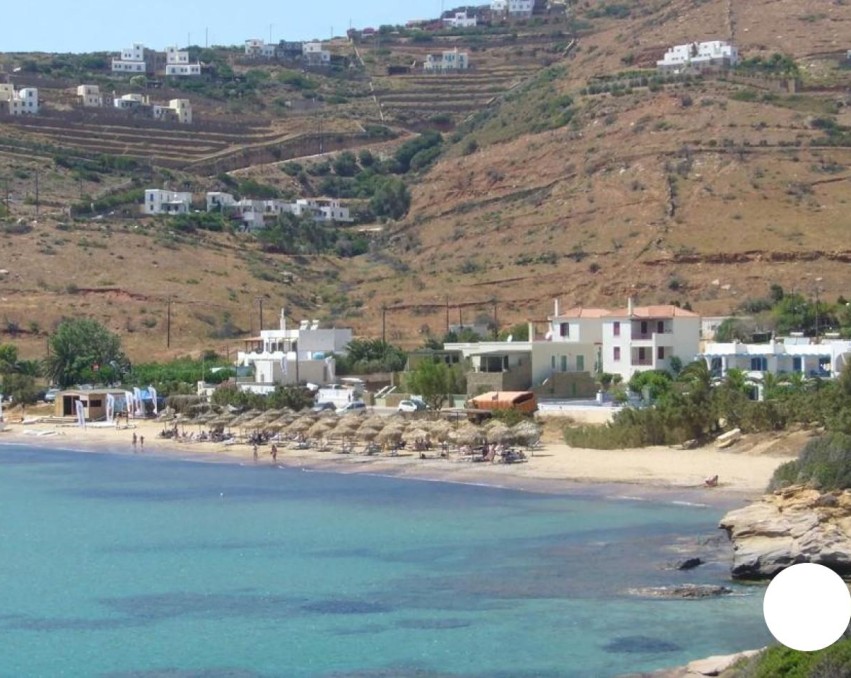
292, 355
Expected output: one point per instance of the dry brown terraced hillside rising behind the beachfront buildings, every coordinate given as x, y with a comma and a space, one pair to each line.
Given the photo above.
566, 171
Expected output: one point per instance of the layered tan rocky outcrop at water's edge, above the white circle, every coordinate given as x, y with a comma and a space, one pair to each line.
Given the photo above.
794, 525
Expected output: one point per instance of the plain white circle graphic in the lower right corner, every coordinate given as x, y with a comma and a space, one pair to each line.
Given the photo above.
807, 607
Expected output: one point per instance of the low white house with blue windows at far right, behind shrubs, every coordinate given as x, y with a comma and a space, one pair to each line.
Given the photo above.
786, 355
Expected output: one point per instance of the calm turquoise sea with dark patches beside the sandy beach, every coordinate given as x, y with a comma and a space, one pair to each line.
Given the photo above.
128, 565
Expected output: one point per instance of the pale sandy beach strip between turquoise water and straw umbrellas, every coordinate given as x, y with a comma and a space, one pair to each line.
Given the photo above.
743, 470
